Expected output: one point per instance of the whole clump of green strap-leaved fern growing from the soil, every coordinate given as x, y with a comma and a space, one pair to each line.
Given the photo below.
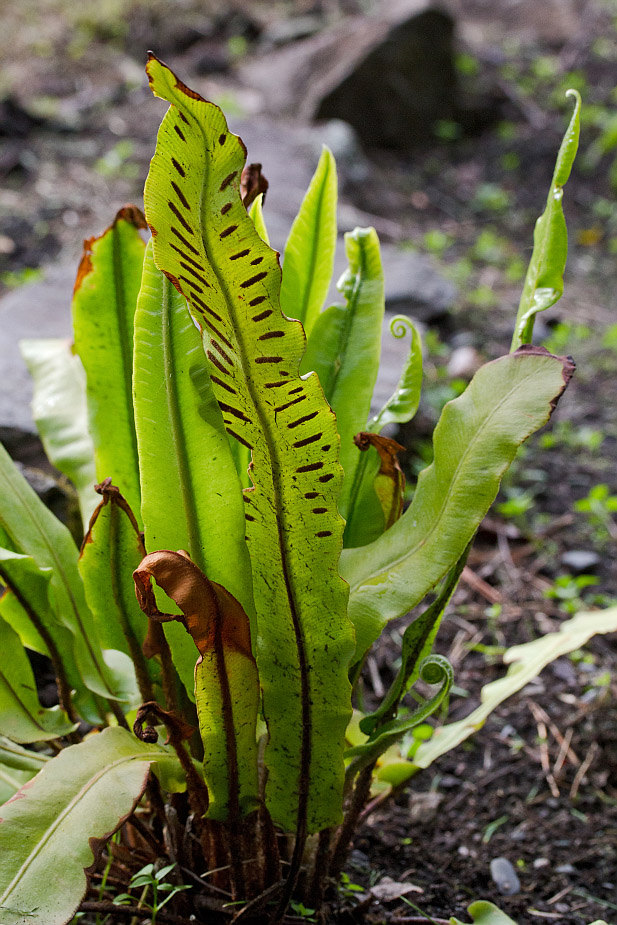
245, 545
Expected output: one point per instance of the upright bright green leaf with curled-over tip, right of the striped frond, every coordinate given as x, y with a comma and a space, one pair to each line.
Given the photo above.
344, 348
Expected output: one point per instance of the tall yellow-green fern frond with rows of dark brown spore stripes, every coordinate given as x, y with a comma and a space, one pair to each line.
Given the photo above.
205, 240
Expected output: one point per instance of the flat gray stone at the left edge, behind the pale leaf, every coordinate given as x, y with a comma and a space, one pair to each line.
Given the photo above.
40, 309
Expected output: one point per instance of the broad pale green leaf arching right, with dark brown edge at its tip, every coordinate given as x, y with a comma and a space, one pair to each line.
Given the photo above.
474, 442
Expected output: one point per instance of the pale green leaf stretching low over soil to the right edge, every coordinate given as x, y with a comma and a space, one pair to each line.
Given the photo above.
526, 662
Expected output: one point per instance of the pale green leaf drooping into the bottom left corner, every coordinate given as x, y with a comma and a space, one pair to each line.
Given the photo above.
65, 815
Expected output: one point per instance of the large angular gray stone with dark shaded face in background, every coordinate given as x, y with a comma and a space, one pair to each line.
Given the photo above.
391, 74
